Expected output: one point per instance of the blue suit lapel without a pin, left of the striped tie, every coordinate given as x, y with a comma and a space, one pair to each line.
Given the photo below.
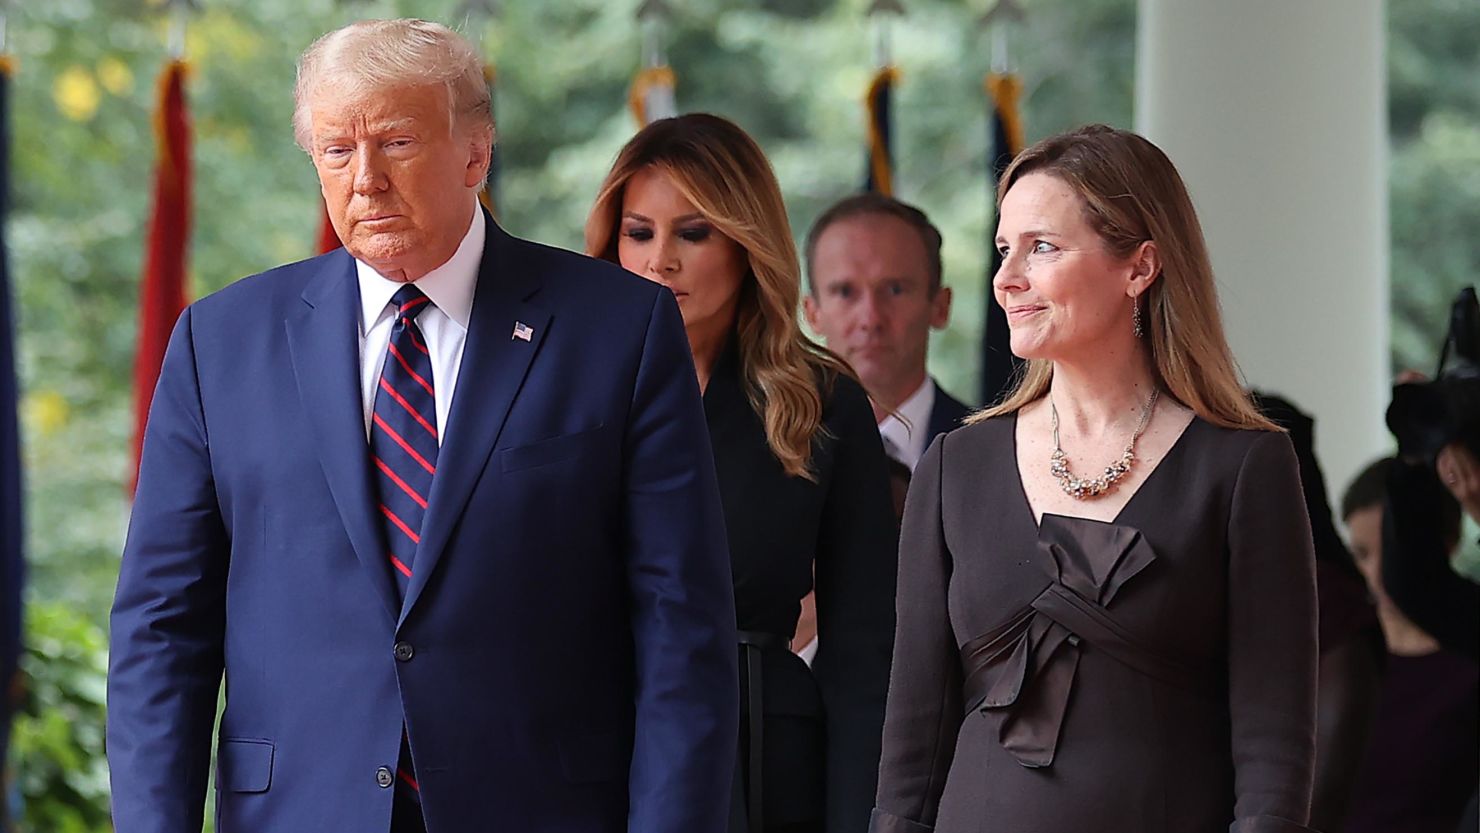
325, 348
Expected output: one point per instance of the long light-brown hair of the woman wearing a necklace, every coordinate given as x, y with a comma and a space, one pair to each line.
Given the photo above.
1133, 195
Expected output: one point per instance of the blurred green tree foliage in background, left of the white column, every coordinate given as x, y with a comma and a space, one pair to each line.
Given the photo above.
793, 73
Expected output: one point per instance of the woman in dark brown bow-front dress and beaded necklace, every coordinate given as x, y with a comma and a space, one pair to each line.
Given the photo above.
1106, 598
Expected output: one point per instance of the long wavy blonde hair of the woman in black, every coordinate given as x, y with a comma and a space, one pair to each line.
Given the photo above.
724, 174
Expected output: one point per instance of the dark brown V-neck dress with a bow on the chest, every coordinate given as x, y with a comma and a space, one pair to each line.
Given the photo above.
1149, 675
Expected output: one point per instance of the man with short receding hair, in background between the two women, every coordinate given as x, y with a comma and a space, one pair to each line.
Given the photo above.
875, 294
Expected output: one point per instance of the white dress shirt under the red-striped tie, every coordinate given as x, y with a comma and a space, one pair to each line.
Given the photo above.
443, 323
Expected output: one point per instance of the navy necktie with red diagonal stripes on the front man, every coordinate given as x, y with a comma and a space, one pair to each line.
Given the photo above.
403, 446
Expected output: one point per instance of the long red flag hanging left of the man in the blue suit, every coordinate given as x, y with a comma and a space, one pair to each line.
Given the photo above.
162, 294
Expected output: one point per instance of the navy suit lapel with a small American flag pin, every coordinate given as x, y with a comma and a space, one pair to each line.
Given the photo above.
494, 369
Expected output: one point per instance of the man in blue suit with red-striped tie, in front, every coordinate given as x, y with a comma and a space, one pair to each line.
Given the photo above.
440, 507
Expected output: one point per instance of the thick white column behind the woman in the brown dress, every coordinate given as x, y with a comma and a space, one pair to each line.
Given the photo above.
1276, 115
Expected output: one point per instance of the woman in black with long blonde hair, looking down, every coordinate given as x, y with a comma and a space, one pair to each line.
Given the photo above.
693, 205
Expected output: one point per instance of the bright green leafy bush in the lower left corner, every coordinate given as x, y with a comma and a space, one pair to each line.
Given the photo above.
58, 735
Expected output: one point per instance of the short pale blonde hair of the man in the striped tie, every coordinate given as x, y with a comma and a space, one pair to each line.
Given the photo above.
371, 55
